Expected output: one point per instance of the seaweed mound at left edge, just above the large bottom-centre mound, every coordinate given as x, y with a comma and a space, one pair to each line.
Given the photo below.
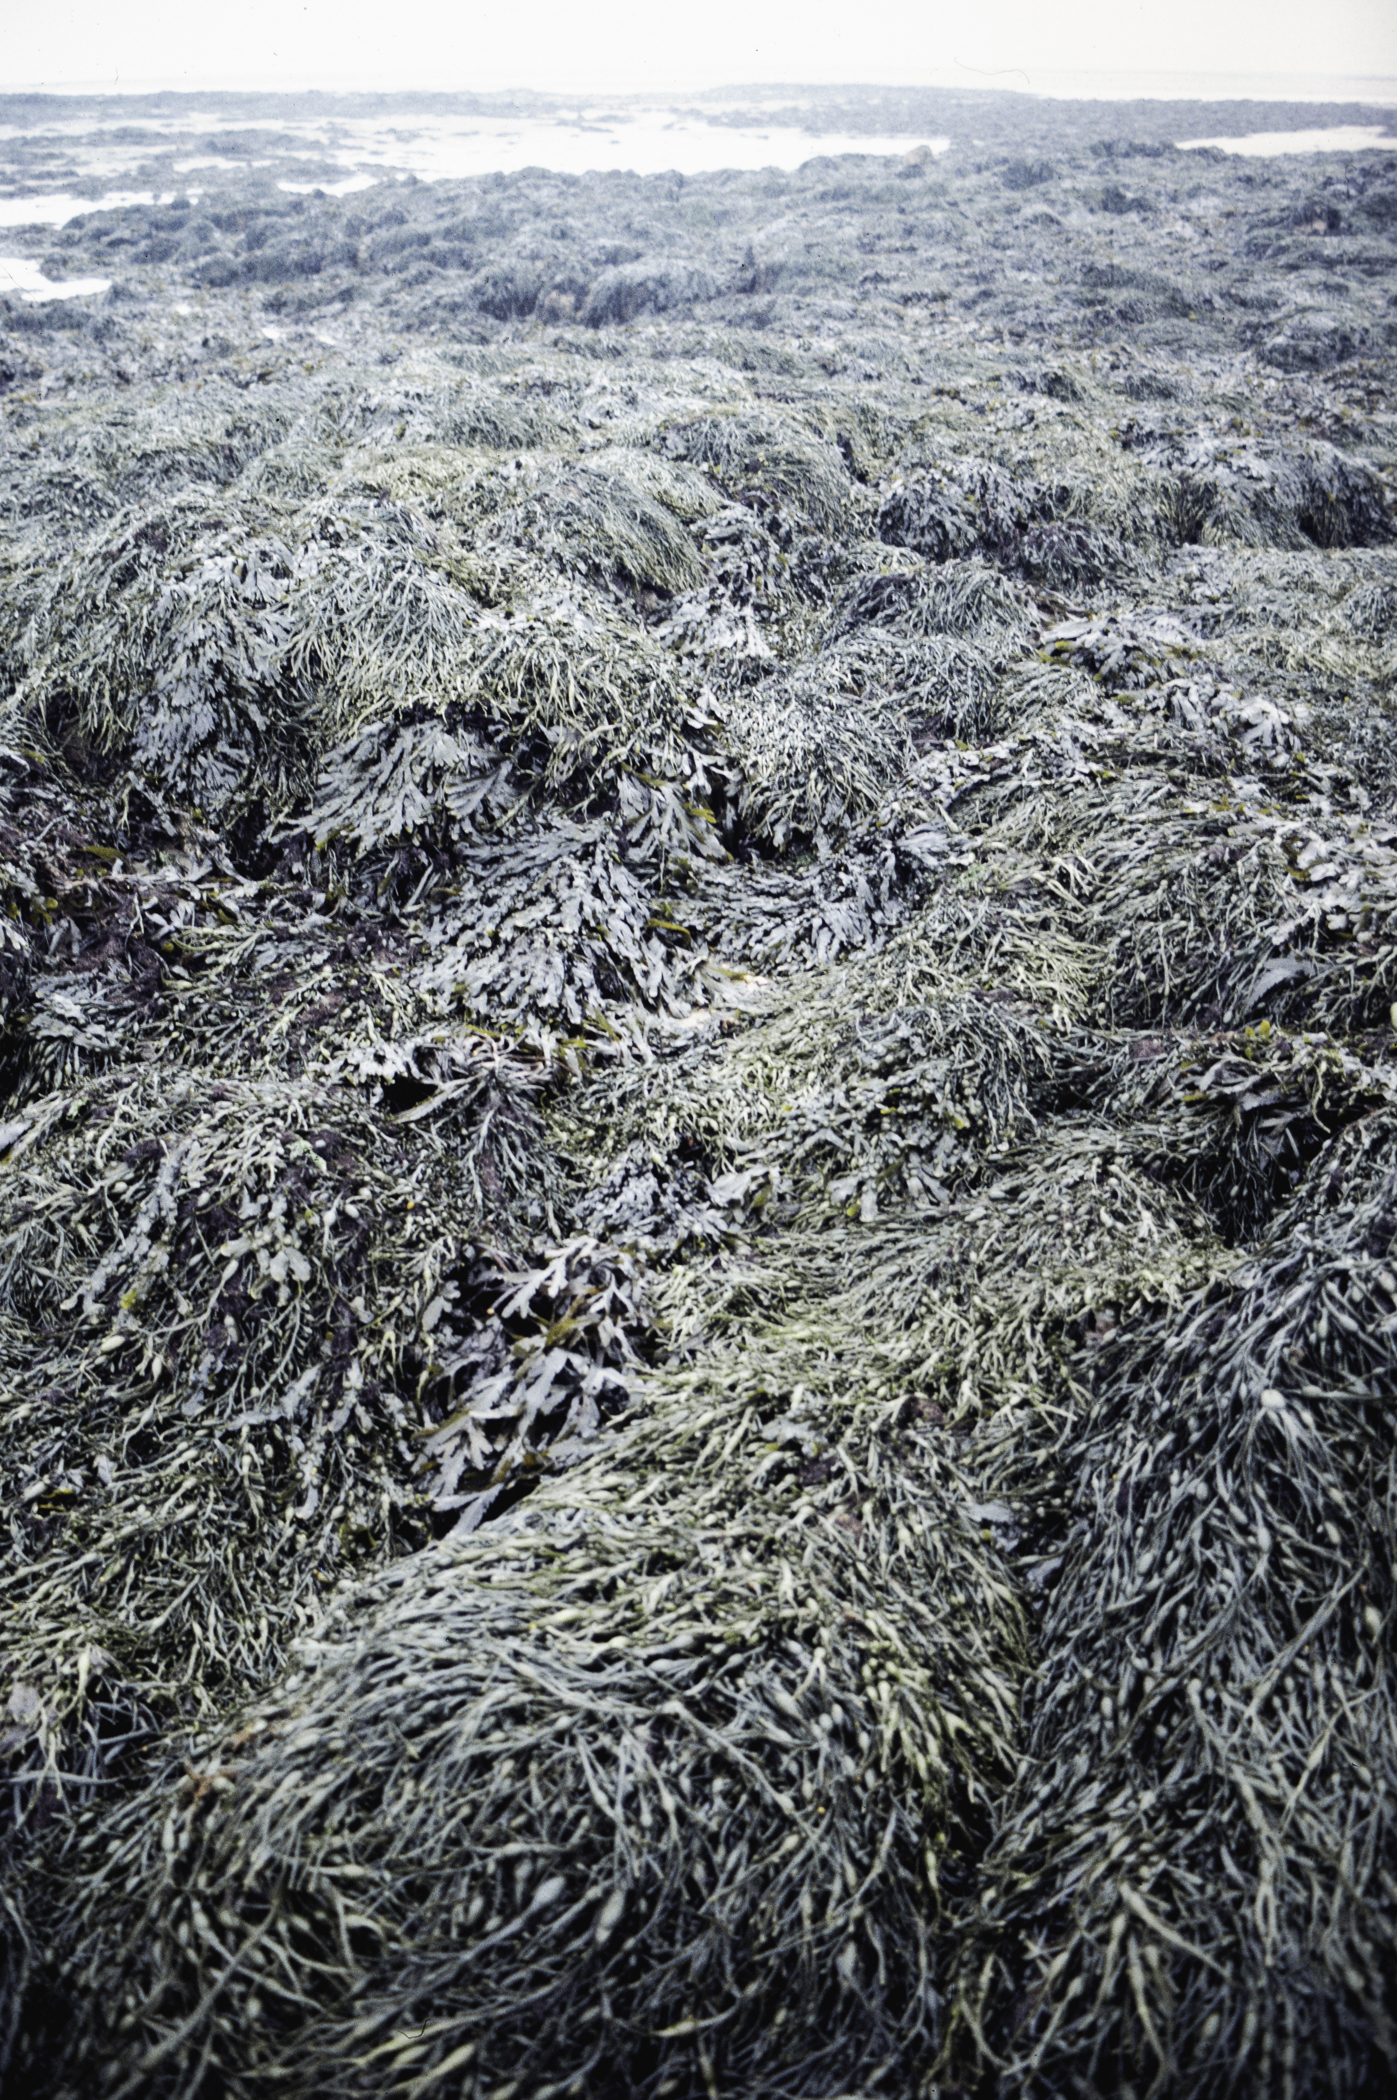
264, 1311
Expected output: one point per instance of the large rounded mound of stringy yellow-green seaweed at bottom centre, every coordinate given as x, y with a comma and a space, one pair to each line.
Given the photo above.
652, 1790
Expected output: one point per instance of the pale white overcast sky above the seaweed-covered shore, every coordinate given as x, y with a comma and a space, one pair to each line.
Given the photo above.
623, 45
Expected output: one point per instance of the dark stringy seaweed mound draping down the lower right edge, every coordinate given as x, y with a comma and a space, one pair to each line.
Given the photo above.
1190, 1883
